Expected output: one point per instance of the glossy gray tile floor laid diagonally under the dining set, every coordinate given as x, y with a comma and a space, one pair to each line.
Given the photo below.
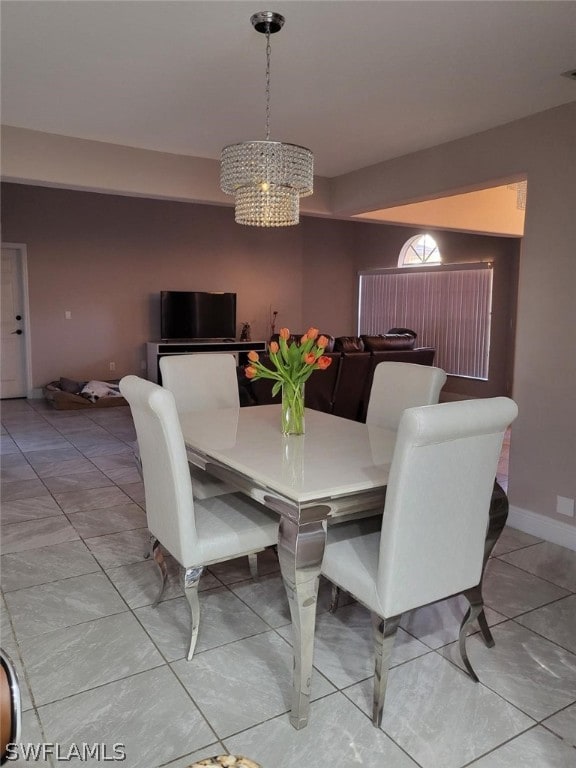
98, 664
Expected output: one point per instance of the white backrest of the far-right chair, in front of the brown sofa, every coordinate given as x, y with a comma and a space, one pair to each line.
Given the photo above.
397, 386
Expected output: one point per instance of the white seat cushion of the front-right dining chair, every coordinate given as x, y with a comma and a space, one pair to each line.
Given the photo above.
351, 558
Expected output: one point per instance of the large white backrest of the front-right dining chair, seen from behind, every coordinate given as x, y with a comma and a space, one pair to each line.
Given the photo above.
438, 499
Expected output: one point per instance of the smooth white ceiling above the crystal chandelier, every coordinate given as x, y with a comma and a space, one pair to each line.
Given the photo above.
358, 82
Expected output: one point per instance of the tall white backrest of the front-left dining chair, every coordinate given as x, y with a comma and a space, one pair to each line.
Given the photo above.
167, 484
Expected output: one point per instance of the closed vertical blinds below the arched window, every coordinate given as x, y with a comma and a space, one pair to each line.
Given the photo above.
449, 308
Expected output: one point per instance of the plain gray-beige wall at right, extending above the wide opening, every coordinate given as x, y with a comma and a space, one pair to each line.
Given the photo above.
542, 148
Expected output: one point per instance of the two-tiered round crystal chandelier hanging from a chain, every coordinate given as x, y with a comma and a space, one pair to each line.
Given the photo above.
267, 178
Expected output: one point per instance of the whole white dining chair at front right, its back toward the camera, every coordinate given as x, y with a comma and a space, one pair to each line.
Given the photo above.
431, 542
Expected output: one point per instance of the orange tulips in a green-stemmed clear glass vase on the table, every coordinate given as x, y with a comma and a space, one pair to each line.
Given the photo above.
293, 363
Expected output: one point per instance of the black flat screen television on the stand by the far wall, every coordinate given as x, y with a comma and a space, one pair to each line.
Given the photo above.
198, 315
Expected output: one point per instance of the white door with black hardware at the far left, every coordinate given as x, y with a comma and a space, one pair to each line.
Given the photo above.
14, 325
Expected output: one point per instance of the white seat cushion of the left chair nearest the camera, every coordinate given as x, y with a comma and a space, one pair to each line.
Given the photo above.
231, 526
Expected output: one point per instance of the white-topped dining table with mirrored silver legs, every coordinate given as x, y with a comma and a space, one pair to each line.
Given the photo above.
338, 468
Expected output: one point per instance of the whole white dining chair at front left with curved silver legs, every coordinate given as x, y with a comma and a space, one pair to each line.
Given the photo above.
197, 533
